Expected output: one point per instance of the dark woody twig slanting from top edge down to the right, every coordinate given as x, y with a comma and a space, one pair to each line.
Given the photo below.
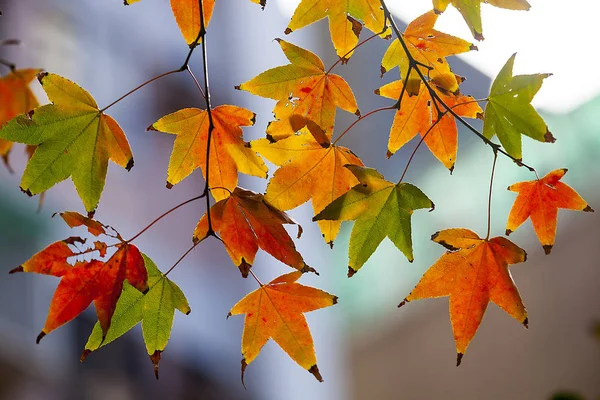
436, 98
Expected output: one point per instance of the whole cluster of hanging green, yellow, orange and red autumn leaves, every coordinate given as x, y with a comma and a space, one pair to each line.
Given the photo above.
73, 137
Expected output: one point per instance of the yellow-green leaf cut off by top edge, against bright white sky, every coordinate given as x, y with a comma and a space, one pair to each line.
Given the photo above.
470, 10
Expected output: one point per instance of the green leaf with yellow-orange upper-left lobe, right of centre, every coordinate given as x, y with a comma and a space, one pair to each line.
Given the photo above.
380, 208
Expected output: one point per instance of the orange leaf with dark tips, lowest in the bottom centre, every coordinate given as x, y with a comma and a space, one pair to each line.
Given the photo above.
275, 311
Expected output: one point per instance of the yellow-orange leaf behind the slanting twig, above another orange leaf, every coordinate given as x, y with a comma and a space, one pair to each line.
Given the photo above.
428, 47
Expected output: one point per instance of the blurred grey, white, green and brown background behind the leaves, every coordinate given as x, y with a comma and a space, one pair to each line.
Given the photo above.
366, 347
